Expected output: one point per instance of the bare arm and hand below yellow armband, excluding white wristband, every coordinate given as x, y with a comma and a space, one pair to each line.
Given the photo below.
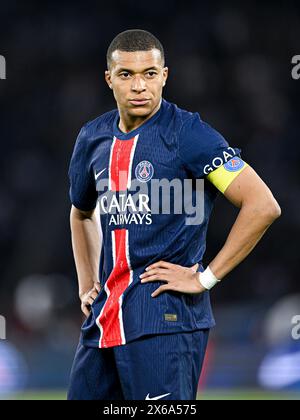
258, 210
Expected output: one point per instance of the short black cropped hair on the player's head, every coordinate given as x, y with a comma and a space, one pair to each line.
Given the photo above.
134, 40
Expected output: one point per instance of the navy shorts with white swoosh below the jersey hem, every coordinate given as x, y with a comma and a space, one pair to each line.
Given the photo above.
154, 367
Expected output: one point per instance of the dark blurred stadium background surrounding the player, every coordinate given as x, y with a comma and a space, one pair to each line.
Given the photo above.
231, 62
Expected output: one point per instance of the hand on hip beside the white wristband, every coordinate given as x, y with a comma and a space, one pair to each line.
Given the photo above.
178, 278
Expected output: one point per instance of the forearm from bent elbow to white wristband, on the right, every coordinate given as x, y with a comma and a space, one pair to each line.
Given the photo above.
249, 227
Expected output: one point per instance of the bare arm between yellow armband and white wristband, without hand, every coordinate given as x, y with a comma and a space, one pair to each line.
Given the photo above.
259, 210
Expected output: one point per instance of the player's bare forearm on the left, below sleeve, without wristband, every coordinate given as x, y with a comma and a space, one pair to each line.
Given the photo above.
86, 248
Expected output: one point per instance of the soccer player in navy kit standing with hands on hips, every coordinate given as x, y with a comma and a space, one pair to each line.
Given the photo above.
142, 285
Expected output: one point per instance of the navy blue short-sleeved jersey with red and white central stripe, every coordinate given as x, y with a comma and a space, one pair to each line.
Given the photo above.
106, 167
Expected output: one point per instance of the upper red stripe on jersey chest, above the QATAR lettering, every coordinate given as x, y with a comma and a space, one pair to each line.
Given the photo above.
120, 164
